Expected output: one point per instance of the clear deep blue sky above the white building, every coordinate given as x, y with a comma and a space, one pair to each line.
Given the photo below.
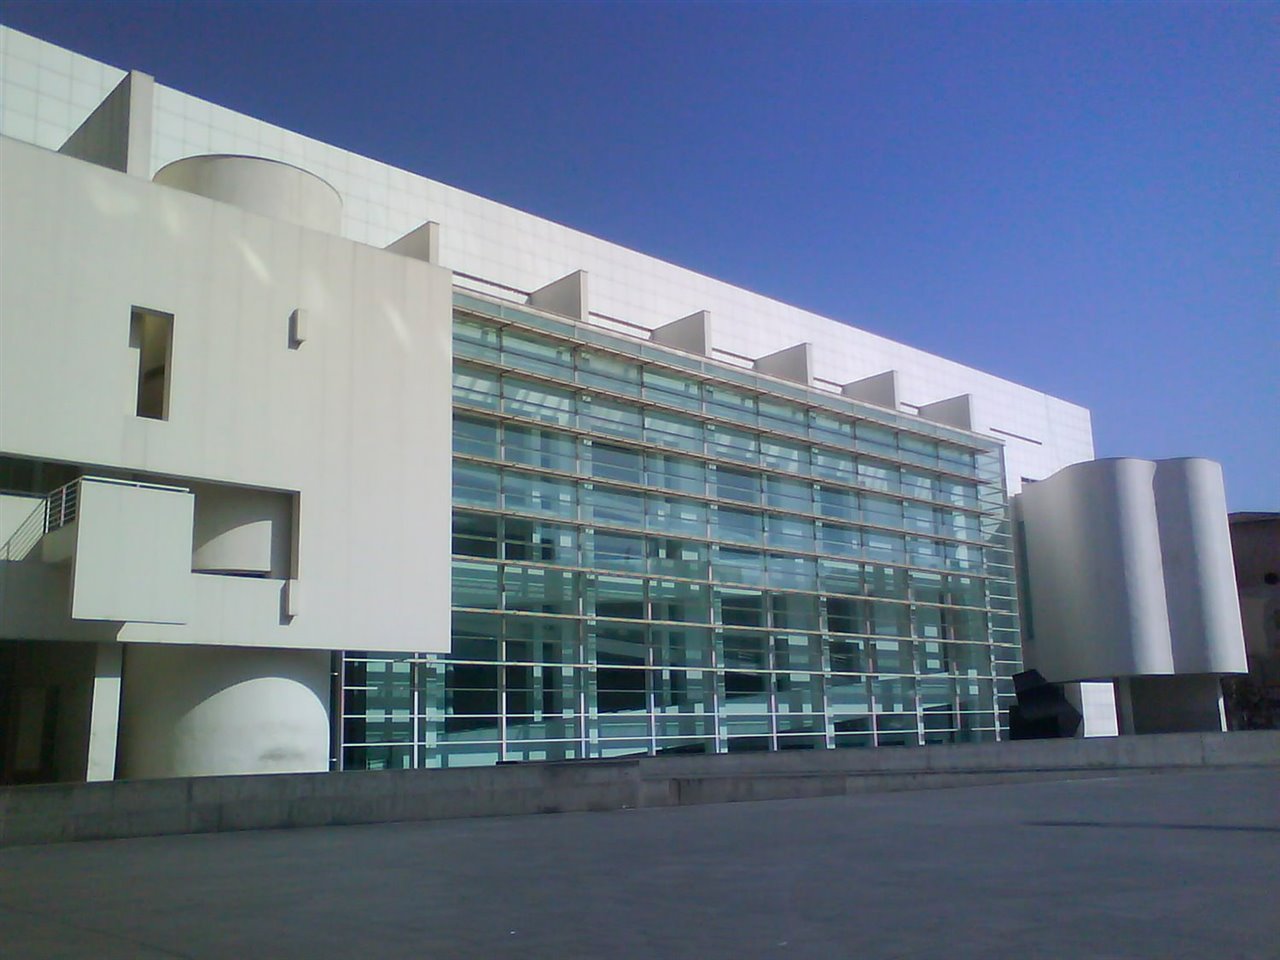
1082, 198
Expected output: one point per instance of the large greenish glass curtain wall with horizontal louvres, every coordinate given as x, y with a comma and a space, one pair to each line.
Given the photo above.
656, 552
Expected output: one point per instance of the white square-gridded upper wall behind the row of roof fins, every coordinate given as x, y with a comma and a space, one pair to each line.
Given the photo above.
490, 240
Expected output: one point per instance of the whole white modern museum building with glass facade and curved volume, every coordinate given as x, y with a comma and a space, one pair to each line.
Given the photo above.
309, 463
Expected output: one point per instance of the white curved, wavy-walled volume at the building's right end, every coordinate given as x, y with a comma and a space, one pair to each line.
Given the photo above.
1130, 572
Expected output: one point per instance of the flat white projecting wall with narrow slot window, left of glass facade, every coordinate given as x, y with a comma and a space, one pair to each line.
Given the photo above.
356, 420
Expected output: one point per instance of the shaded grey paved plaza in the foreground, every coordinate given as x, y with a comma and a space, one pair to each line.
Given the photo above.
1176, 866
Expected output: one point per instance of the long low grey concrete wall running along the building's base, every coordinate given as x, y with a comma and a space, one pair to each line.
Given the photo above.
65, 812
